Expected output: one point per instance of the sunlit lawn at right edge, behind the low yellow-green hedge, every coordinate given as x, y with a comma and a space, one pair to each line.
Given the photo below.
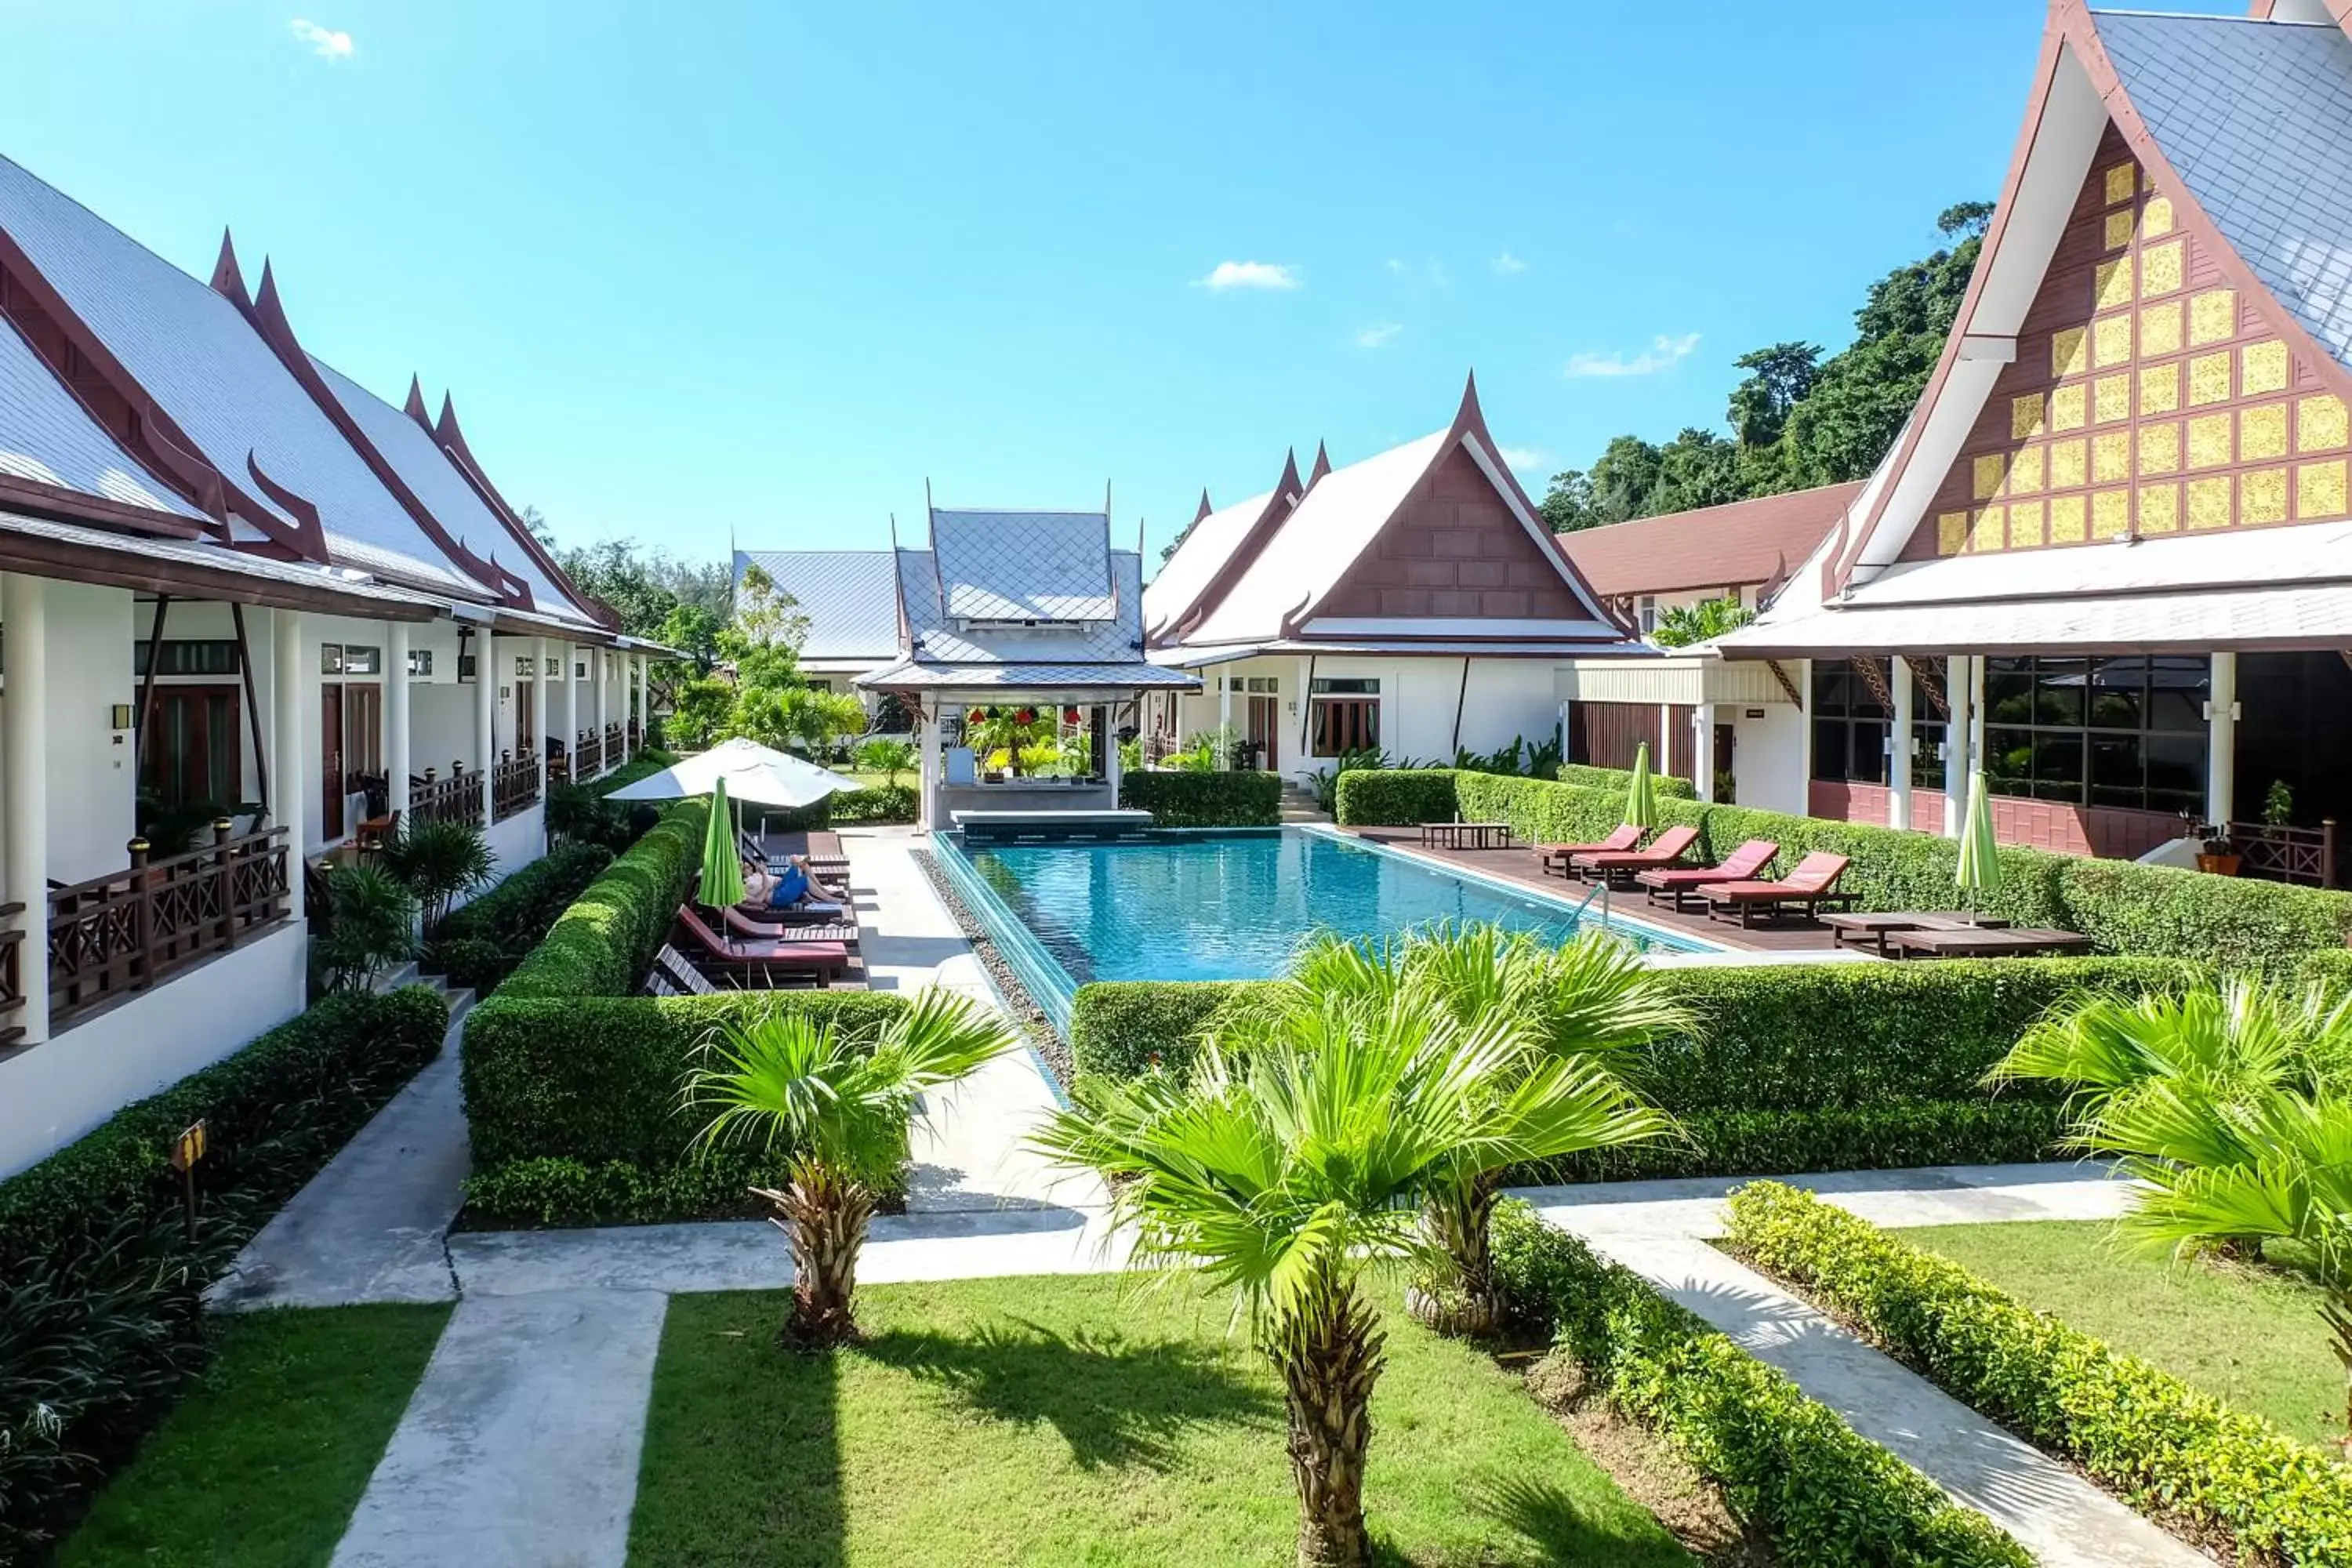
2247, 1336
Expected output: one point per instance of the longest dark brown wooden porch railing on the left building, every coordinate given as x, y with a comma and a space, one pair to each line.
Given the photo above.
119, 934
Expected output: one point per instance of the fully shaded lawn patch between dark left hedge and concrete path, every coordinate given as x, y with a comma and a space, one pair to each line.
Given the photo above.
267, 1459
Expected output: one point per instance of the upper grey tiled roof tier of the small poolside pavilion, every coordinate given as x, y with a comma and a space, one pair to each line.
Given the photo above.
1024, 565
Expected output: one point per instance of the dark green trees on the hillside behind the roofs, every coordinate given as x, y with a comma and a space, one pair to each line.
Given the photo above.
1796, 420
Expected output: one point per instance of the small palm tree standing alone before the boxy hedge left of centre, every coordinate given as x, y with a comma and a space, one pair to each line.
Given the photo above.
836, 1106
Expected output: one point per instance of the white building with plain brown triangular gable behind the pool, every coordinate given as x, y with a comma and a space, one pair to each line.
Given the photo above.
1412, 603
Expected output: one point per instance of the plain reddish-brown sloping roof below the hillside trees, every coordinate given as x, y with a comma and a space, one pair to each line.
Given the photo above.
1718, 547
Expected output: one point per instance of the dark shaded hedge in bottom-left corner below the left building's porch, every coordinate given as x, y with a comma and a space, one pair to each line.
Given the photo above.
102, 1287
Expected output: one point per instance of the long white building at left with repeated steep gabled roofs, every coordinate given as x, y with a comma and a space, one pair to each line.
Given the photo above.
248, 608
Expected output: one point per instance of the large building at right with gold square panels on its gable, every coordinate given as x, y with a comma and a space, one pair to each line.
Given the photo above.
2109, 561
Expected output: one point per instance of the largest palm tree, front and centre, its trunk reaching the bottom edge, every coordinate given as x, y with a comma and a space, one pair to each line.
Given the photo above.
1292, 1160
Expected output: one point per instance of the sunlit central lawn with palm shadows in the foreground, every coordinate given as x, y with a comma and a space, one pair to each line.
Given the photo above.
1083, 1421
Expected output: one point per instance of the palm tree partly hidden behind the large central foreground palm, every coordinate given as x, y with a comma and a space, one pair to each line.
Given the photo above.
1584, 1010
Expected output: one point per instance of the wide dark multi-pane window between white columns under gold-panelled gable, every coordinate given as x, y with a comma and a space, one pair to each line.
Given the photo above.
2099, 732
